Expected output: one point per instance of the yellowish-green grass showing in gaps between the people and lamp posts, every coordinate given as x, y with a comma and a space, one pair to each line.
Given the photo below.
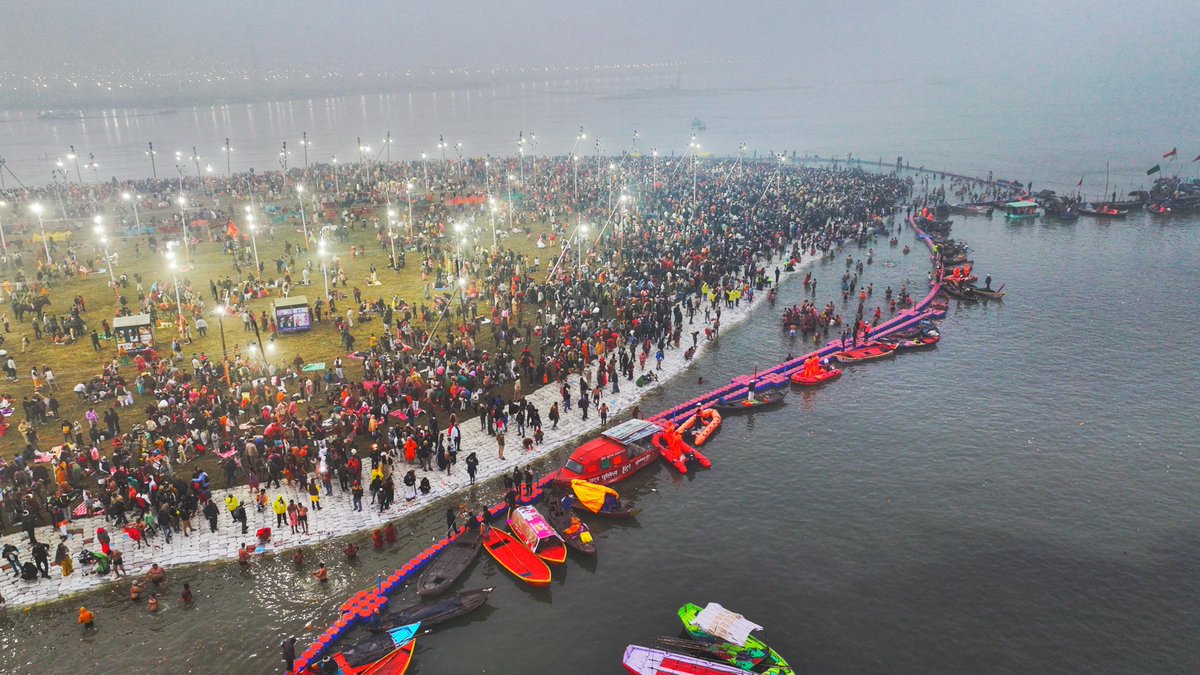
79, 362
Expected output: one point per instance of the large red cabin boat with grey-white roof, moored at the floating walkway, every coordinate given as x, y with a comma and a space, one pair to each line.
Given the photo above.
614, 457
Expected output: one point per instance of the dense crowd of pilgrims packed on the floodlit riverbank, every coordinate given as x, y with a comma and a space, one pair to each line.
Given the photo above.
622, 283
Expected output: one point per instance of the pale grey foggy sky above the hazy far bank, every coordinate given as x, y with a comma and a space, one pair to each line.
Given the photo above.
1043, 41
